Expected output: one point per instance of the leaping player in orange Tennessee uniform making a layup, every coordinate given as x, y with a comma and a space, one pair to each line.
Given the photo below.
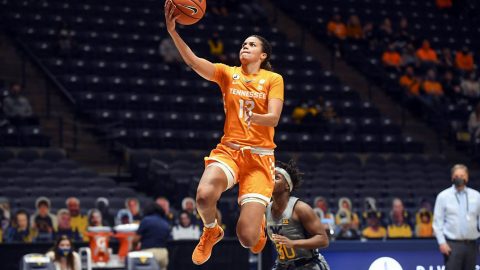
253, 101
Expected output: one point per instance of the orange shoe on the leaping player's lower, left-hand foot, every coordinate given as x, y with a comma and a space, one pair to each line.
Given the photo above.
209, 238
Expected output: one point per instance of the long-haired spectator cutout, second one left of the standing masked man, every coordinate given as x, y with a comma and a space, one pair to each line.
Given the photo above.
399, 227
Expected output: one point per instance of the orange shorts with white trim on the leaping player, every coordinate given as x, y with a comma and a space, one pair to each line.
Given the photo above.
251, 167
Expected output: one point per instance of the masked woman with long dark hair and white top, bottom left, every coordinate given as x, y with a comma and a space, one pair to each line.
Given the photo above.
63, 255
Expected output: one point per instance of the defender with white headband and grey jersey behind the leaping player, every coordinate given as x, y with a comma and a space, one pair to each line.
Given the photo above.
293, 226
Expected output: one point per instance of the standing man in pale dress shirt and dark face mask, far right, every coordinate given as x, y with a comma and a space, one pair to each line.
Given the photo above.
455, 222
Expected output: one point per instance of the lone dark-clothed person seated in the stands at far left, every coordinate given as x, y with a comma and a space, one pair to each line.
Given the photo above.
16, 106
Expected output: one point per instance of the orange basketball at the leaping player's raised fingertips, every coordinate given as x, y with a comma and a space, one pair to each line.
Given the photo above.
190, 11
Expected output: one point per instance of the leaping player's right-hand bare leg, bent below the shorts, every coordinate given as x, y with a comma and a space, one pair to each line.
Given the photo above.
249, 225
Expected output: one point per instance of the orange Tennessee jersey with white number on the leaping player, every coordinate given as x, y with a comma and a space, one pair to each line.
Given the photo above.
242, 92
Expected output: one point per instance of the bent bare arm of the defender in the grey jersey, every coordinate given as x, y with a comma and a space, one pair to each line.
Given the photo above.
312, 225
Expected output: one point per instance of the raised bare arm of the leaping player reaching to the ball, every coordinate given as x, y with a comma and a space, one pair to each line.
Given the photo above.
203, 67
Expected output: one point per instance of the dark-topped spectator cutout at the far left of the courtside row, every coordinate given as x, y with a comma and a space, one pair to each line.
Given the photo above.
20, 229
